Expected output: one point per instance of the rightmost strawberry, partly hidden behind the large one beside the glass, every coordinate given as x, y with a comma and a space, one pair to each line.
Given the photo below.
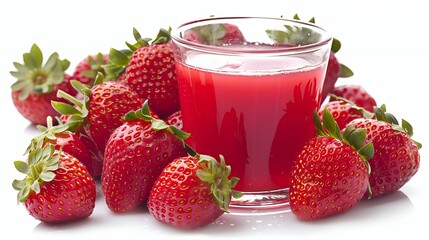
396, 156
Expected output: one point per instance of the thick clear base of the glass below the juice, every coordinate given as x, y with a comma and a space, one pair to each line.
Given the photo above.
264, 202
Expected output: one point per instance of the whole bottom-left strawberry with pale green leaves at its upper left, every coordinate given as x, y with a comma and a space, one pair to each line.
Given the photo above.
57, 187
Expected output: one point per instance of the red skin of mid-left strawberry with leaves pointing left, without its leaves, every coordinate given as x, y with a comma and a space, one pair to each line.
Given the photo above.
108, 103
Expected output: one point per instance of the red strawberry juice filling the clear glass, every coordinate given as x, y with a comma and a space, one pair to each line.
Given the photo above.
257, 119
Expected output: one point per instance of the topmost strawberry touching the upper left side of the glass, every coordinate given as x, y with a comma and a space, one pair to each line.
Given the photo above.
149, 69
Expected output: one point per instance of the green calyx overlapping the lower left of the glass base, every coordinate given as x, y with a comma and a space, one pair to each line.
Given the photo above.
216, 174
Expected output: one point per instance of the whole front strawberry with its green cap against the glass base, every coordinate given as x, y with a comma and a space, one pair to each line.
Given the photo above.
192, 192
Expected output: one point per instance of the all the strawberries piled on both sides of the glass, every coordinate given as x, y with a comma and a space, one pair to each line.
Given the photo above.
117, 118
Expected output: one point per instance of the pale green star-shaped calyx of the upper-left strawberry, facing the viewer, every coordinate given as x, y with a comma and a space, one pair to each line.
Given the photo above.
34, 76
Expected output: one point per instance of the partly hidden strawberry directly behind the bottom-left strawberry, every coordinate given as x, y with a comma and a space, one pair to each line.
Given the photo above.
62, 139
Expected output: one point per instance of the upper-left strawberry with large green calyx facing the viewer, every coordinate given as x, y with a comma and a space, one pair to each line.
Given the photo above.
37, 84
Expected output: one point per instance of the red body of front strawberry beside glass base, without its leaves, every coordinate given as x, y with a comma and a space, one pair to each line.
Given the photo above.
179, 198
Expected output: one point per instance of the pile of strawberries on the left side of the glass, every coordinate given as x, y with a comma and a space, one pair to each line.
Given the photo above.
118, 120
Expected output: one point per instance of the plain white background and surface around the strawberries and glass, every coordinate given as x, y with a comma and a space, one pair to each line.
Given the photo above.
384, 42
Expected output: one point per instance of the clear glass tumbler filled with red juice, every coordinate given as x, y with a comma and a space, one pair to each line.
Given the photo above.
248, 87
